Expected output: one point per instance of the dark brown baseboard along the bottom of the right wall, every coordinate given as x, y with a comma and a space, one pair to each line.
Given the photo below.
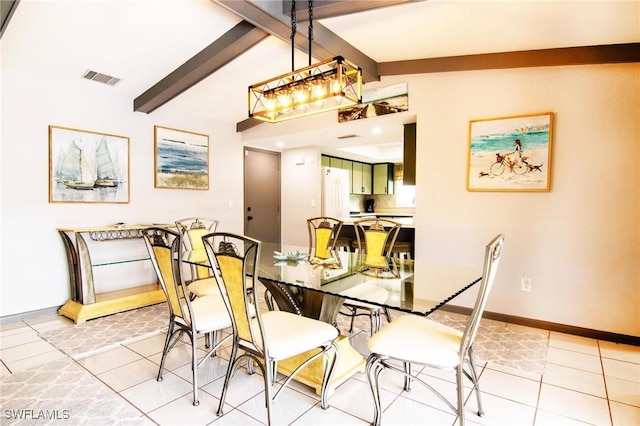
553, 326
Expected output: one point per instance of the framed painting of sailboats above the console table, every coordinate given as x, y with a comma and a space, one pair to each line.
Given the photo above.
87, 167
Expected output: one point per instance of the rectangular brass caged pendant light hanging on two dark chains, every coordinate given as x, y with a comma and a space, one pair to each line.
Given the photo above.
324, 86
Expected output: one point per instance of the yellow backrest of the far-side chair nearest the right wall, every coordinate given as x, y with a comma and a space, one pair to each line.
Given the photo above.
376, 238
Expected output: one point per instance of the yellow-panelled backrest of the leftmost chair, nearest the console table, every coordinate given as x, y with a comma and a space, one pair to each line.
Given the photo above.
165, 249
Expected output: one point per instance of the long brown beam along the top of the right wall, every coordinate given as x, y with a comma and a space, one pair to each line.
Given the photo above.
583, 55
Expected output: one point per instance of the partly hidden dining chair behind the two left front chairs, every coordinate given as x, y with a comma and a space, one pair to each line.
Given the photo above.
192, 229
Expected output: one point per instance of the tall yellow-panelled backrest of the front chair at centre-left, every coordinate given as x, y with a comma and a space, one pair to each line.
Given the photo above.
236, 259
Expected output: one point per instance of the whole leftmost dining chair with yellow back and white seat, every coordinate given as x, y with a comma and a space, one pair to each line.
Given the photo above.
203, 315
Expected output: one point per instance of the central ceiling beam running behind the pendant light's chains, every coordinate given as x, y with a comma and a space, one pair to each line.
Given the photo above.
326, 44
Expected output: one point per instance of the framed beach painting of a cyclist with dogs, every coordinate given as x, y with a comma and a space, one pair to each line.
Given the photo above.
510, 153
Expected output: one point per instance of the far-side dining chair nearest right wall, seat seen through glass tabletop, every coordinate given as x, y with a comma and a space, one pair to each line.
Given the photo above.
375, 239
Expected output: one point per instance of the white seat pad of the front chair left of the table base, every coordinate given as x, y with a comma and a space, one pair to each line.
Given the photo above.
288, 334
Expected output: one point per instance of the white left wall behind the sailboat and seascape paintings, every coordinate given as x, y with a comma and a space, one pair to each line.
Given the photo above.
34, 270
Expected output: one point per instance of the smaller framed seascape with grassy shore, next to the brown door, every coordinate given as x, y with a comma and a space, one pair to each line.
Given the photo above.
181, 159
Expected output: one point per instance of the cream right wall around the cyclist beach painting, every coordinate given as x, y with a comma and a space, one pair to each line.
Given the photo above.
580, 242
